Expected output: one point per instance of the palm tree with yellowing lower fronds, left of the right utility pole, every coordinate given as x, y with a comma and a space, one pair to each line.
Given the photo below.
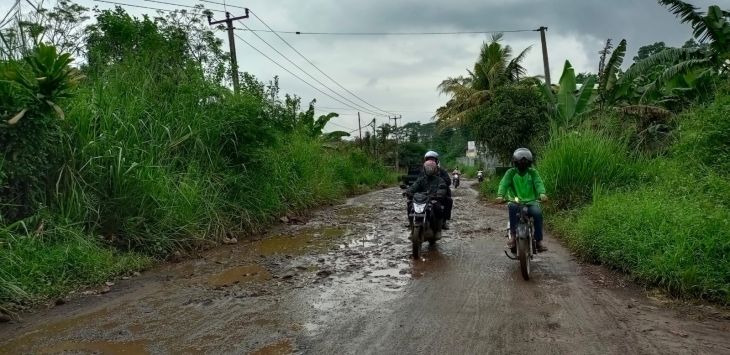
493, 69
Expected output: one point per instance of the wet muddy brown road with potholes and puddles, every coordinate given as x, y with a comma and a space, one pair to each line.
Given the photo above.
343, 283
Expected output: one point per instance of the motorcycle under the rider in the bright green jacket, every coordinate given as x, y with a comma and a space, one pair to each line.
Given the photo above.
525, 247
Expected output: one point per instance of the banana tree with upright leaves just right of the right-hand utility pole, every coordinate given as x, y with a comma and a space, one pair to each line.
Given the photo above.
568, 103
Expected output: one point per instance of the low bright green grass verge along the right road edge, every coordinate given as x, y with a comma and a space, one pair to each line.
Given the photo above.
667, 235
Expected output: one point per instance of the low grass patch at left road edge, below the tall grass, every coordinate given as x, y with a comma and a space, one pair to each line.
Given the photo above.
48, 264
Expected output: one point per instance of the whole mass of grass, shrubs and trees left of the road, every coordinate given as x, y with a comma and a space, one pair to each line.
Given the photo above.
144, 152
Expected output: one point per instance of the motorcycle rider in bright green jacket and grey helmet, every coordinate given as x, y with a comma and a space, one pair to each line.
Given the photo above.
525, 183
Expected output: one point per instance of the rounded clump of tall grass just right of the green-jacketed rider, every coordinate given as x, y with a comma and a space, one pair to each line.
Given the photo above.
575, 164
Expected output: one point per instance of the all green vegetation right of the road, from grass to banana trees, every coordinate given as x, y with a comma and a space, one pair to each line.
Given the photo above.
637, 165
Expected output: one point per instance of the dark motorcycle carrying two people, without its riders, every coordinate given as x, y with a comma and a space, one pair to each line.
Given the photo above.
424, 225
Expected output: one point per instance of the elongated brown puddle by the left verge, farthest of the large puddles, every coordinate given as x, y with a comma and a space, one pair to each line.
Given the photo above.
297, 243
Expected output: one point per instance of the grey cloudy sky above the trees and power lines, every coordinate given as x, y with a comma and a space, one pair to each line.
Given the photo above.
400, 73
